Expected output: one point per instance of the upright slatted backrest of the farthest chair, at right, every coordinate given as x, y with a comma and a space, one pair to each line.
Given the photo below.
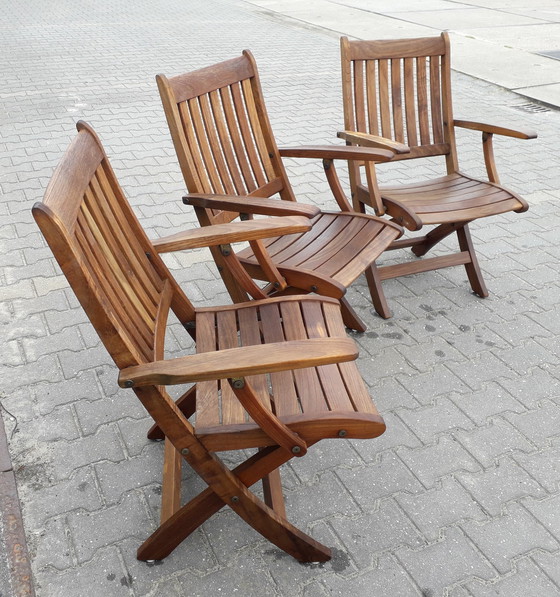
401, 90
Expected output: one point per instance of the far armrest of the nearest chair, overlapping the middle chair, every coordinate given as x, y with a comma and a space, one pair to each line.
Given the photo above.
233, 232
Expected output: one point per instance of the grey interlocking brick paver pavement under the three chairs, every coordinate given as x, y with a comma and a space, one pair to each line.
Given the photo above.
460, 497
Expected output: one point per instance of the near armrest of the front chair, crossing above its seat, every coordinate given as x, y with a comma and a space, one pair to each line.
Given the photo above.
240, 362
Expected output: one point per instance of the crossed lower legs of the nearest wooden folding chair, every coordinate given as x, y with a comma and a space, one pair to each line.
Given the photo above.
226, 487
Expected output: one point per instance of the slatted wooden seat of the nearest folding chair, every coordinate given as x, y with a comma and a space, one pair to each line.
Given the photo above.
314, 402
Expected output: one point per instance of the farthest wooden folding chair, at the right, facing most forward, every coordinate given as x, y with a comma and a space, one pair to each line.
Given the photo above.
397, 95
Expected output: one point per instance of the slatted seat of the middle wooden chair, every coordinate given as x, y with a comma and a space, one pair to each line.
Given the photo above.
328, 250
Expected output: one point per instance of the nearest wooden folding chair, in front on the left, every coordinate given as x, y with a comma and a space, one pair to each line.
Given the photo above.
276, 374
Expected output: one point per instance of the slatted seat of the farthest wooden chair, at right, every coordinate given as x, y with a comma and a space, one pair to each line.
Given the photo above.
452, 198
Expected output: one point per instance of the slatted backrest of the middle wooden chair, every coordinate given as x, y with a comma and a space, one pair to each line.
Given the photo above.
222, 134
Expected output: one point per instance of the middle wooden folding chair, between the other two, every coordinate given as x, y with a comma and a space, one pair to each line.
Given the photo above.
230, 161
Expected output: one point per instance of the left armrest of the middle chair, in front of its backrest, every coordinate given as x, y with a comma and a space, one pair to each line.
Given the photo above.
253, 205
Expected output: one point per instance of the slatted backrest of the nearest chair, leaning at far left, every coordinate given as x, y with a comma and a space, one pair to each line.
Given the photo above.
120, 281
